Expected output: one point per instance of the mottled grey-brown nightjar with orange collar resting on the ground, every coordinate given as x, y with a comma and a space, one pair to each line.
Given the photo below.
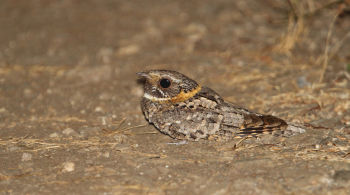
180, 107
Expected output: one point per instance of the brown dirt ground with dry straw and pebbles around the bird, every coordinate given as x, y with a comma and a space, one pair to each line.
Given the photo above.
70, 118
